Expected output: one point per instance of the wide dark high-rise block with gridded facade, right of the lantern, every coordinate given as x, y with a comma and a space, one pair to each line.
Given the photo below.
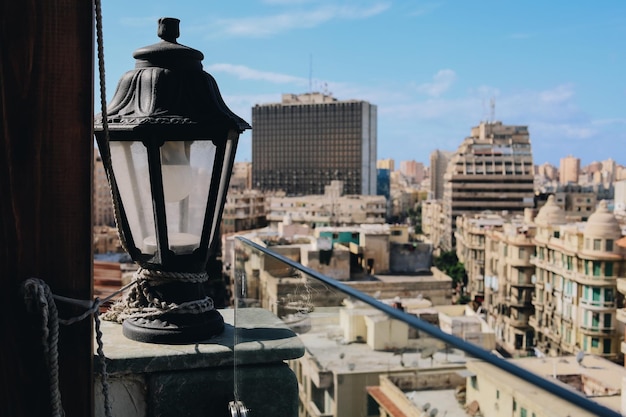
303, 143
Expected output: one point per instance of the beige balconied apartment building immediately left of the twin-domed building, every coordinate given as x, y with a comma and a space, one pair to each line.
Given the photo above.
496, 251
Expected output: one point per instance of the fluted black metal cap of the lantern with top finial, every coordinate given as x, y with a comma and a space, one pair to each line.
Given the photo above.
168, 89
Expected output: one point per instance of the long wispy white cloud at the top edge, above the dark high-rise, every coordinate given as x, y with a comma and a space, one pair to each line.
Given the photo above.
264, 26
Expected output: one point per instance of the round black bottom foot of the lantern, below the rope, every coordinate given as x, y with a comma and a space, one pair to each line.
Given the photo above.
175, 328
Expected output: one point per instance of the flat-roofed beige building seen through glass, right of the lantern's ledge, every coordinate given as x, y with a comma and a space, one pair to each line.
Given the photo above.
349, 349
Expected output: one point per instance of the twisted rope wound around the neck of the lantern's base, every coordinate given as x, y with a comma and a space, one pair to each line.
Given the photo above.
142, 302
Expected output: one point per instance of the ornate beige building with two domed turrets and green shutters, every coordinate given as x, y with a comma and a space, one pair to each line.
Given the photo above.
577, 270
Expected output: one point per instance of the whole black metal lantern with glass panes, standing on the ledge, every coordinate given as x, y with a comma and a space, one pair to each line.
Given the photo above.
168, 148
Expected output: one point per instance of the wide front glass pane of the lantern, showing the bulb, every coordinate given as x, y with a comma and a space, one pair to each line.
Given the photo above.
187, 169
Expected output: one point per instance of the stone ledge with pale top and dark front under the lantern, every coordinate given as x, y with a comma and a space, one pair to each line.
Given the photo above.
200, 379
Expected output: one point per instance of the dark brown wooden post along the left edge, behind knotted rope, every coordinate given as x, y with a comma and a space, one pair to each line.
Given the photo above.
46, 147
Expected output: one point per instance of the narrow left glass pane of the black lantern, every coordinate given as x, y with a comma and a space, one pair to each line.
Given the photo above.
130, 167
